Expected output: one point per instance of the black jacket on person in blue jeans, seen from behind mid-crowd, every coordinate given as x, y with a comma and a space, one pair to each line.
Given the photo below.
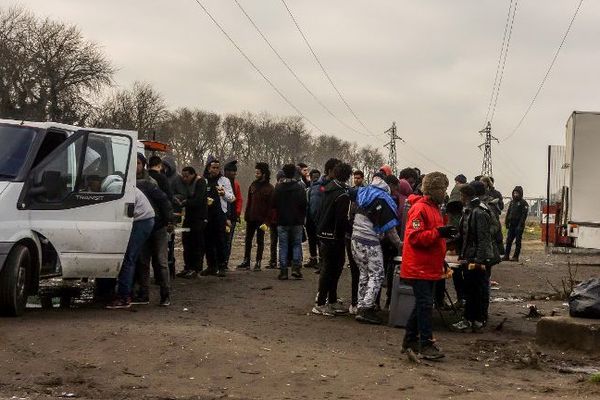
289, 202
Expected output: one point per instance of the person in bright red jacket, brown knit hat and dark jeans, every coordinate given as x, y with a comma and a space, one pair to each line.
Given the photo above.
423, 261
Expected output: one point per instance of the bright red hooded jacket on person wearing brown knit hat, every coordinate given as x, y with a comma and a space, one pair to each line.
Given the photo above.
424, 249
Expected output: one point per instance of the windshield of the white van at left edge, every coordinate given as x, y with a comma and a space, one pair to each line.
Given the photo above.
15, 142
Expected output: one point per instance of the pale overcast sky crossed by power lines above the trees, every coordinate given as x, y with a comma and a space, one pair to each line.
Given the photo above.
429, 65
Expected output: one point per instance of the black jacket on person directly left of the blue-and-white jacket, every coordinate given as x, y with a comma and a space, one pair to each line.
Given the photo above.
333, 216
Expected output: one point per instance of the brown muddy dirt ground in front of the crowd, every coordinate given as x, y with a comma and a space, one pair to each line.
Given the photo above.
250, 336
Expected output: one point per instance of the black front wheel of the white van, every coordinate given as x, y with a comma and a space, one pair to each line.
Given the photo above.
13, 282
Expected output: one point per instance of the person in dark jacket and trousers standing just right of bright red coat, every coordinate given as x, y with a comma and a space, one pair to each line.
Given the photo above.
478, 253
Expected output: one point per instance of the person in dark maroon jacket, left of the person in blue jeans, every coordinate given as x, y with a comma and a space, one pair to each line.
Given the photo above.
257, 215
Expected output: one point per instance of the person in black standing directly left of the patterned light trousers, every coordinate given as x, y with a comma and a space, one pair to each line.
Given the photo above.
331, 230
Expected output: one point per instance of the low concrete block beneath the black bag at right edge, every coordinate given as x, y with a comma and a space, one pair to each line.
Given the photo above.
569, 333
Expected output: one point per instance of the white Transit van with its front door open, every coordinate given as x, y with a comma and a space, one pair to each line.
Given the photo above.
66, 205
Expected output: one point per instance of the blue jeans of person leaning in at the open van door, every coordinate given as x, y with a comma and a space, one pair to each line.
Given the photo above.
140, 232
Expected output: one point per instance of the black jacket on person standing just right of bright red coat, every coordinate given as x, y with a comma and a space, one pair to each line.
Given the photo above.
477, 244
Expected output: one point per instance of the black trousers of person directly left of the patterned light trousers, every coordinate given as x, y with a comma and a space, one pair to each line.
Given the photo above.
333, 255
